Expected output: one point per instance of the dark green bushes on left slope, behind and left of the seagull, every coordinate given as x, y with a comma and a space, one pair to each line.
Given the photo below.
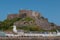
7, 24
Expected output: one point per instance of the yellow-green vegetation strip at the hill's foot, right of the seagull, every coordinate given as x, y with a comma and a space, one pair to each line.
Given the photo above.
31, 28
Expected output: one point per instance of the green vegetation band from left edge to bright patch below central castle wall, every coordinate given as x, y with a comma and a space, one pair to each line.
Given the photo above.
7, 24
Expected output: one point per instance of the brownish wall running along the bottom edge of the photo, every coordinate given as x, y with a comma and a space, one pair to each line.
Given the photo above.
29, 38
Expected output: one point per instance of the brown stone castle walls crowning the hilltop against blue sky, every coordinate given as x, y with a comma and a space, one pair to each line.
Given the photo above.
23, 13
